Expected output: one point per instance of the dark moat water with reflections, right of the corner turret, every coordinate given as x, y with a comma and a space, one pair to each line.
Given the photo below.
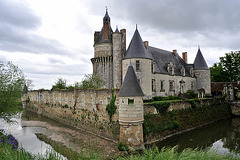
222, 136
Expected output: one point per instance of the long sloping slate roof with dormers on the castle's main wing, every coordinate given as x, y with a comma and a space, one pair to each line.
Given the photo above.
162, 58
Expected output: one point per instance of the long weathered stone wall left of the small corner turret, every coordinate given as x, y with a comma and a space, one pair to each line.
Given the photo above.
85, 109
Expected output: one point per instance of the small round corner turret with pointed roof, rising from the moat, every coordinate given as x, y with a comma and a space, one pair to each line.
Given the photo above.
131, 111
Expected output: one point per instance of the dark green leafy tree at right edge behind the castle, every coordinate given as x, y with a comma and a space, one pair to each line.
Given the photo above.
228, 69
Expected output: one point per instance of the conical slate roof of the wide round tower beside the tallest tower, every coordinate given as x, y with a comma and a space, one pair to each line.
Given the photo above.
136, 48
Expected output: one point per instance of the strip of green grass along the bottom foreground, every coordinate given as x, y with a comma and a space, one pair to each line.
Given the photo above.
8, 152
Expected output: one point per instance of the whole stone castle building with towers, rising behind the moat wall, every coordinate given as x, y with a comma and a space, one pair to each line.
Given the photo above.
159, 72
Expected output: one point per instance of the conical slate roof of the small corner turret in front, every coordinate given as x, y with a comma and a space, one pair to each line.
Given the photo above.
130, 86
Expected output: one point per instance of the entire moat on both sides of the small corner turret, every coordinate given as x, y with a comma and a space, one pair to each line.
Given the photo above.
37, 134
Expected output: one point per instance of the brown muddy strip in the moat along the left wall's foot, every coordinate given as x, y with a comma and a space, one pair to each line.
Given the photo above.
65, 139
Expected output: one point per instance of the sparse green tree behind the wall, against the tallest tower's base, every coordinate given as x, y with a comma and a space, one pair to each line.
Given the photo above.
91, 81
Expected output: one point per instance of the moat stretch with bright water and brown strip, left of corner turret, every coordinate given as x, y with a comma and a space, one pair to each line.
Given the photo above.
37, 134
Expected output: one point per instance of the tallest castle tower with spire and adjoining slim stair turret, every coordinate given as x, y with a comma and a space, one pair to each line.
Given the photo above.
108, 53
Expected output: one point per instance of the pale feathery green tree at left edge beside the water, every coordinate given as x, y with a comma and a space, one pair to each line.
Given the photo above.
11, 87
